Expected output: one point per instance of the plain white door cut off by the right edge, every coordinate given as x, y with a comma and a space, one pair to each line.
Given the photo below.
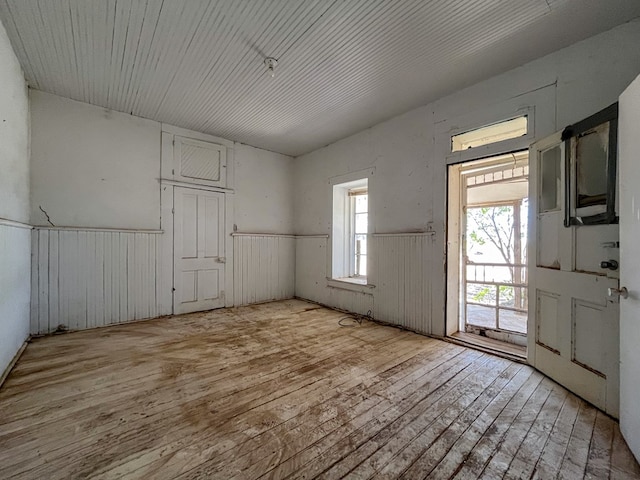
629, 167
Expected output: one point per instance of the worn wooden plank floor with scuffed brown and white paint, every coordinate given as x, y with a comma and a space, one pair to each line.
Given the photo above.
281, 391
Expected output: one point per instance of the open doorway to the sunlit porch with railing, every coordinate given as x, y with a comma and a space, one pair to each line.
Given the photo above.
487, 274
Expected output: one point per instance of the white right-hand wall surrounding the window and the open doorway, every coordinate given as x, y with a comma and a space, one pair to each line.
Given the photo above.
409, 152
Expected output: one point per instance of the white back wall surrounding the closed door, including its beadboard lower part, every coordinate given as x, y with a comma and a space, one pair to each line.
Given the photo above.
95, 168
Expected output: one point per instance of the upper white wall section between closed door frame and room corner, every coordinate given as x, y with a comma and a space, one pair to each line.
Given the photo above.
264, 191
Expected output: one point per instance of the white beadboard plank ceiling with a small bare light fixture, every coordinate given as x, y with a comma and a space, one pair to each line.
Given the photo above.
343, 65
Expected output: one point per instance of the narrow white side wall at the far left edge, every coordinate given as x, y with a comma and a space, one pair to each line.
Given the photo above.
15, 246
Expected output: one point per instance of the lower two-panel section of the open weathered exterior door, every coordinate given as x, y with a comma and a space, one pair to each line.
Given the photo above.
577, 334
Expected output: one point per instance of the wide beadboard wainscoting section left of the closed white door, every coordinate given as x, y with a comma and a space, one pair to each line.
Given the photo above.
85, 278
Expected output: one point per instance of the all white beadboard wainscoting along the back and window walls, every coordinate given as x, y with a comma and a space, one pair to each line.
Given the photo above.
85, 278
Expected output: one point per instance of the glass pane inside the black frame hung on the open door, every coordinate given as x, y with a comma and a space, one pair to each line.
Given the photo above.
591, 165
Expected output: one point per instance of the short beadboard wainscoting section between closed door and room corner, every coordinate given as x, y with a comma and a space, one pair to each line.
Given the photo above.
263, 267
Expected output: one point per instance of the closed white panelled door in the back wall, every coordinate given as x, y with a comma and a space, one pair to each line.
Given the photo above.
199, 258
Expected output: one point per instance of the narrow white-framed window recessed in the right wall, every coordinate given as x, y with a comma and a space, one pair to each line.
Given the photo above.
350, 227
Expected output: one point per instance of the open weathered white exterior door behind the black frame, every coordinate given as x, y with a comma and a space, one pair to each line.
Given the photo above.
573, 321
